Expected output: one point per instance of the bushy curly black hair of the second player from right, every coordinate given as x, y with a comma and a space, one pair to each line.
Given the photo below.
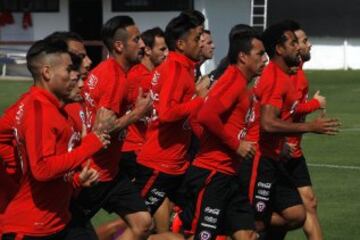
274, 35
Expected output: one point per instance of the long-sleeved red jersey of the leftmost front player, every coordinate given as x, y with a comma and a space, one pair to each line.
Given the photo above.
47, 150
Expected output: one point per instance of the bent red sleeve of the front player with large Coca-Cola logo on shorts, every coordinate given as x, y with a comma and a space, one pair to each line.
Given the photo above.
221, 100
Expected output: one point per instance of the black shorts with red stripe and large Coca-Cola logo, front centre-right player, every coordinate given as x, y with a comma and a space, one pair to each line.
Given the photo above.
214, 204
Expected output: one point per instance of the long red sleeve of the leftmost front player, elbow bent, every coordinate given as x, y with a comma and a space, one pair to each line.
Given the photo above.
41, 139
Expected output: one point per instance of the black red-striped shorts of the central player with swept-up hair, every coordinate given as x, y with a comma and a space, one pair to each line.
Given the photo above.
155, 186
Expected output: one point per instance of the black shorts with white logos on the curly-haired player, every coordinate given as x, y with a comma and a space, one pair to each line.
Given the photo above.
274, 189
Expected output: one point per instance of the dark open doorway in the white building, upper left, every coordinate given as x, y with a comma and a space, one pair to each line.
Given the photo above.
86, 20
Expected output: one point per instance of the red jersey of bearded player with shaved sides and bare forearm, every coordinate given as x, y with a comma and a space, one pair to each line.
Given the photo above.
106, 87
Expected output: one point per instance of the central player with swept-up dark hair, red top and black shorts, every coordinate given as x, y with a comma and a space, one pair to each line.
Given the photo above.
162, 159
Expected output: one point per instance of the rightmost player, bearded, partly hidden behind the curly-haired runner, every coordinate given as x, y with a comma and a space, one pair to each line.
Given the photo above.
296, 163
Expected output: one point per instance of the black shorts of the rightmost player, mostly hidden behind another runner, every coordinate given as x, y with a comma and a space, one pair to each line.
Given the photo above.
299, 172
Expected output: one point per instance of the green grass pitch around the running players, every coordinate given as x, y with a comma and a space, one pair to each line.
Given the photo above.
334, 162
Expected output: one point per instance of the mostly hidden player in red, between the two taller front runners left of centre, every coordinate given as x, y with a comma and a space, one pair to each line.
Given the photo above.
140, 75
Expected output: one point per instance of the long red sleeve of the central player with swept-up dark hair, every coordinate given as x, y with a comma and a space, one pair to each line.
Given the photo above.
171, 105
